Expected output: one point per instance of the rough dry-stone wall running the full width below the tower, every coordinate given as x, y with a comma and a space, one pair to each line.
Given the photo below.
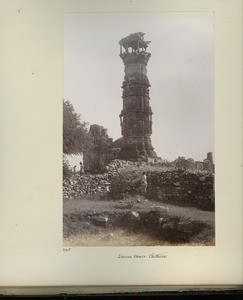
183, 188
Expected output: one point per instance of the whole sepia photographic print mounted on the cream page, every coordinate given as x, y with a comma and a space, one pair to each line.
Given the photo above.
138, 129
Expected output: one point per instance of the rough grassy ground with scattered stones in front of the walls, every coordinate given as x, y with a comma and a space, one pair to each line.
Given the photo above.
135, 221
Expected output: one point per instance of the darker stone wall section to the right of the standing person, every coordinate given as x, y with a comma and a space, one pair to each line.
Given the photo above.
182, 188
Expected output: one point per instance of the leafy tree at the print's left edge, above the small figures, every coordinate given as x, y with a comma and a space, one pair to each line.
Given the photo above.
75, 132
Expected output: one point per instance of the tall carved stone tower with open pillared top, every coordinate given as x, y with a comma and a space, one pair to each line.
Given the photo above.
136, 115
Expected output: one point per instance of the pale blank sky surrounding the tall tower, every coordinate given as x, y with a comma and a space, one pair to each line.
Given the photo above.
180, 72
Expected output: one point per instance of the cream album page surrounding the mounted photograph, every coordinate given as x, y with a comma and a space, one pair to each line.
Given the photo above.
31, 77
